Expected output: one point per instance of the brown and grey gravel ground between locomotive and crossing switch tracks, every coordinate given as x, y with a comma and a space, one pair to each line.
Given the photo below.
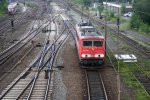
68, 80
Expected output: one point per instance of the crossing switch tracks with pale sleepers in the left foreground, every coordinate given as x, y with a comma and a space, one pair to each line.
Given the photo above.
36, 81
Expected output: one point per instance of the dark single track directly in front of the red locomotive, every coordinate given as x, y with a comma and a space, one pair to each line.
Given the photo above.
95, 86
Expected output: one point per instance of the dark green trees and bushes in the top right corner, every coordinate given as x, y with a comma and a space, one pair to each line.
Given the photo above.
140, 20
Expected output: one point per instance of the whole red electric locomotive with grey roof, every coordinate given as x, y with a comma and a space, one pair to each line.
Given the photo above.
90, 44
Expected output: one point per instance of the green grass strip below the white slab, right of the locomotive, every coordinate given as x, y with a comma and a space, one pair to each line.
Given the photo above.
130, 80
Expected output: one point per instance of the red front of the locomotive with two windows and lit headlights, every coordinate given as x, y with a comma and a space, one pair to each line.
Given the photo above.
92, 51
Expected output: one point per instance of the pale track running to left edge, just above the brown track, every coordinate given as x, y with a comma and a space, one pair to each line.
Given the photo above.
21, 43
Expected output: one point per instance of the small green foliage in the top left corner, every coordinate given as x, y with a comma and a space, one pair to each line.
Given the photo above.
3, 7
